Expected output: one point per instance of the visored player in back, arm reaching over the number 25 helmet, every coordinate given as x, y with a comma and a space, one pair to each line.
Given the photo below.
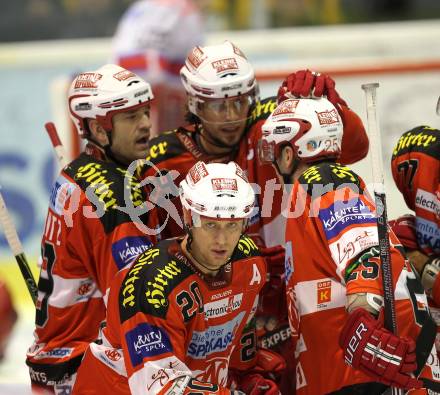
226, 117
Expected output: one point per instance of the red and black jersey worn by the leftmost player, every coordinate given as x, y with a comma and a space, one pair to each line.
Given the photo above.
92, 231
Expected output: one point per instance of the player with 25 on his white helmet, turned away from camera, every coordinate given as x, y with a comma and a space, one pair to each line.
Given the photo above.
333, 273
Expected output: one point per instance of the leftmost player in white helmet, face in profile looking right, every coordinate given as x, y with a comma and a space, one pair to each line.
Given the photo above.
88, 237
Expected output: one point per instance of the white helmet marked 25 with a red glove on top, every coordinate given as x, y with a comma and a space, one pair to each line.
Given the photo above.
312, 127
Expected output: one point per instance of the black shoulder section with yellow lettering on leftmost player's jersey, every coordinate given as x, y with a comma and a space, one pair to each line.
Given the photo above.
104, 186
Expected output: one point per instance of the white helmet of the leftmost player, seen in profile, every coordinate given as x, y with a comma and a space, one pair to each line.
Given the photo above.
102, 93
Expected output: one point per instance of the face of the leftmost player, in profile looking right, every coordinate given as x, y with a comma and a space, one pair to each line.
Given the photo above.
130, 134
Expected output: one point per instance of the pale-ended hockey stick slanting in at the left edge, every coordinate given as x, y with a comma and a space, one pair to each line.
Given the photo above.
17, 249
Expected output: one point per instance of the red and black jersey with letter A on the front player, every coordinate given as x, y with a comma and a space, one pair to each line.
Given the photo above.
174, 327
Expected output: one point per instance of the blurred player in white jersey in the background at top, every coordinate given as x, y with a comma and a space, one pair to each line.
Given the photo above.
152, 39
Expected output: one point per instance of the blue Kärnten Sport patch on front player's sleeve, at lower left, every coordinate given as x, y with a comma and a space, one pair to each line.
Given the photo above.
147, 341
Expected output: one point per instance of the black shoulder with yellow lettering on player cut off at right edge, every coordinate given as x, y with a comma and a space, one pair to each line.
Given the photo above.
420, 139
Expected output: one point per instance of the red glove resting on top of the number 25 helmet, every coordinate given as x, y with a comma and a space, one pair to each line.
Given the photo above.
306, 83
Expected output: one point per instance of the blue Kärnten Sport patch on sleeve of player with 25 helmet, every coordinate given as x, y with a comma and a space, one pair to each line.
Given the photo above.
341, 215
